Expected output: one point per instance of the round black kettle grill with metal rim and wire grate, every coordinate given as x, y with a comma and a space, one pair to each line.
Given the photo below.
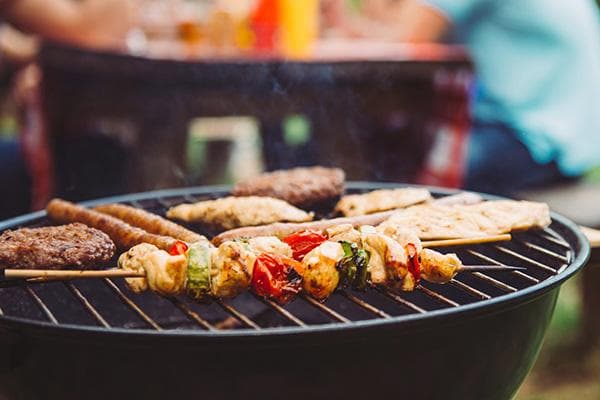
474, 338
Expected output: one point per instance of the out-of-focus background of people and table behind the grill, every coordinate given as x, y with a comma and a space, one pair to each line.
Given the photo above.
102, 97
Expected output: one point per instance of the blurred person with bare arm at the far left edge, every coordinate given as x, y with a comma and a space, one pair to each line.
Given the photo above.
101, 24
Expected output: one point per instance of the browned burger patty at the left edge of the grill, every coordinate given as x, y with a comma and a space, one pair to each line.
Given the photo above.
55, 247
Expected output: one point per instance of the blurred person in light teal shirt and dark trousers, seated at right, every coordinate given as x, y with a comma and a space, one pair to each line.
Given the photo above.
535, 115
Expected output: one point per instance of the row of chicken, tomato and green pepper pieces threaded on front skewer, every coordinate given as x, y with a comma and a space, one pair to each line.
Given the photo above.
314, 262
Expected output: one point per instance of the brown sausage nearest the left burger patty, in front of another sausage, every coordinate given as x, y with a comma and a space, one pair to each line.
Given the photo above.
124, 235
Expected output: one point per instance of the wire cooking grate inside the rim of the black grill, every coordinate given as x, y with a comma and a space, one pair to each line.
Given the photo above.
107, 304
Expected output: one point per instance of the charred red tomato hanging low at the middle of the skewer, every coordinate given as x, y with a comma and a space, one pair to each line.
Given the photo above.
275, 277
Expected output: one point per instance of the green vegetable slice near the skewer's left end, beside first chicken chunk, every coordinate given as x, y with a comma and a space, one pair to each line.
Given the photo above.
198, 273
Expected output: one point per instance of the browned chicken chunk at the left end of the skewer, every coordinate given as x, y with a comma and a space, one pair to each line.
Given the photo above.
165, 274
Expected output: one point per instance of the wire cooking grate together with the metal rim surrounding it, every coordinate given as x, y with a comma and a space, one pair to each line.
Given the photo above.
106, 306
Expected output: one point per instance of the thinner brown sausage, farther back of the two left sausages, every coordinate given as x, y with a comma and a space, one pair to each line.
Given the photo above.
150, 222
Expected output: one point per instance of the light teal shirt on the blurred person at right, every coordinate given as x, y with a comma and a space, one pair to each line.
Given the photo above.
538, 71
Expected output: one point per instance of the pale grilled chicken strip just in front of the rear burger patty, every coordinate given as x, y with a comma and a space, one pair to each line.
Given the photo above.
233, 212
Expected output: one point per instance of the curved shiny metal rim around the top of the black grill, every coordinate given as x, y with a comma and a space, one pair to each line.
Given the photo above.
580, 246
